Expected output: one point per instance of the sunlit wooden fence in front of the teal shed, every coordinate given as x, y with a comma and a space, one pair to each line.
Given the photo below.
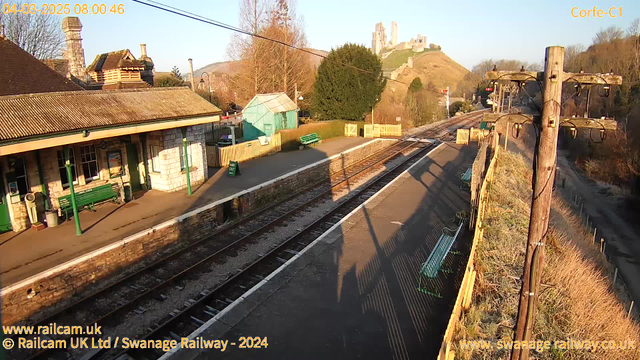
220, 157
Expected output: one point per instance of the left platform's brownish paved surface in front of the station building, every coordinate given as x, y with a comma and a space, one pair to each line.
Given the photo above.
30, 252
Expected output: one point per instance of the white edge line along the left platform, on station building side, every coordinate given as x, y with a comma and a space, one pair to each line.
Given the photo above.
16, 286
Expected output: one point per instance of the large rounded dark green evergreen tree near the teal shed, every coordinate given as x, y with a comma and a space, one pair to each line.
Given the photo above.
343, 92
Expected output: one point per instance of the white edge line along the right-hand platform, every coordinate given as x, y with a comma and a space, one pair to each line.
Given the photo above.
210, 322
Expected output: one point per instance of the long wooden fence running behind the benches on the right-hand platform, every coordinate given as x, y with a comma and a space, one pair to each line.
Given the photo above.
465, 293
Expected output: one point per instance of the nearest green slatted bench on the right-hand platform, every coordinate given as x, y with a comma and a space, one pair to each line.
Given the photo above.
430, 268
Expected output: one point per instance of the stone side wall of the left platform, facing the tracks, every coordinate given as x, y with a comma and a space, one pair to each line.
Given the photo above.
71, 280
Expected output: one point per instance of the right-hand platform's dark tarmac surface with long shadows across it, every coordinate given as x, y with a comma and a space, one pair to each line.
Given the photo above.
354, 293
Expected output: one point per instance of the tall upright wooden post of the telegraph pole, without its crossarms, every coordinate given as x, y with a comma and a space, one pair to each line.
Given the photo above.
544, 172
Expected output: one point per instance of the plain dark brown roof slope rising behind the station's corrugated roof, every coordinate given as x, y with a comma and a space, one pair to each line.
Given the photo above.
21, 73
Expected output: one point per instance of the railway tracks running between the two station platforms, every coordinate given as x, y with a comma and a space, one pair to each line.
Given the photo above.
108, 305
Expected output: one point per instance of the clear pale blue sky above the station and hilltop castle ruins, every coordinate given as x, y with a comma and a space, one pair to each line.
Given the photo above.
468, 31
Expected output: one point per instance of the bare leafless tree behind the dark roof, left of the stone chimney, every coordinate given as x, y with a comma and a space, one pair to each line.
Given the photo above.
38, 34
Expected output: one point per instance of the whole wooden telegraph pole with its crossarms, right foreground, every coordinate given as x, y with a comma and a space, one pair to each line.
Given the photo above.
548, 124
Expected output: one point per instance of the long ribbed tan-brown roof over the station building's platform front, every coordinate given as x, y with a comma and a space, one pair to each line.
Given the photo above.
25, 116
